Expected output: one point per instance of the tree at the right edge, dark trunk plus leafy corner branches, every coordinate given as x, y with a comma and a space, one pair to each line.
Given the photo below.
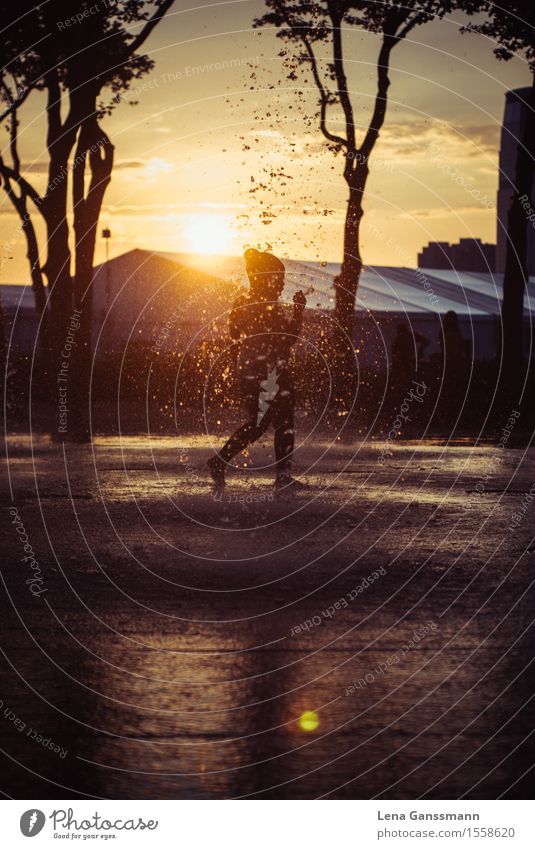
513, 27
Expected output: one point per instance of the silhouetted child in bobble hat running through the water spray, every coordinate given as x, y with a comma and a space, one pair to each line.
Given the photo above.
257, 322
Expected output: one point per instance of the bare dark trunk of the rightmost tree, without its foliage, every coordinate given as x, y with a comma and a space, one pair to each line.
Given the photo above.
516, 261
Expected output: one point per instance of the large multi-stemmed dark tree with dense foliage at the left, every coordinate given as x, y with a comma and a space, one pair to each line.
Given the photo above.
74, 53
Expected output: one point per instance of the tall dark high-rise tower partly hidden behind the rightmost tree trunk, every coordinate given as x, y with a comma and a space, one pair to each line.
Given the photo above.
512, 131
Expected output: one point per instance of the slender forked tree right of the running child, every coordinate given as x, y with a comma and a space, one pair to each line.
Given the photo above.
306, 26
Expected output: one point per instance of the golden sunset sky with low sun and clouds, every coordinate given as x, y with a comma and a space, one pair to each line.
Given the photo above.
200, 139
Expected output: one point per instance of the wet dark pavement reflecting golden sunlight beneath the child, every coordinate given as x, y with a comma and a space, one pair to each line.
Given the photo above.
180, 639
